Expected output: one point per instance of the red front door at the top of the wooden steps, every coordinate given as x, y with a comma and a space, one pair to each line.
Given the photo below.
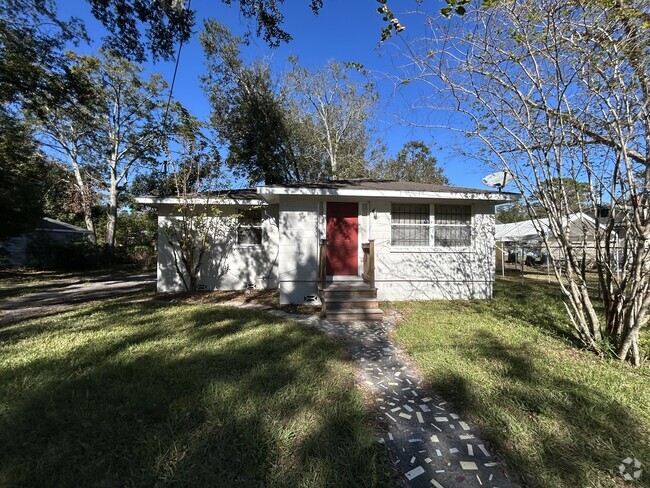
342, 238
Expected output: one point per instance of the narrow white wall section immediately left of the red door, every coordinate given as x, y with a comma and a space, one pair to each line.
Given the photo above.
299, 249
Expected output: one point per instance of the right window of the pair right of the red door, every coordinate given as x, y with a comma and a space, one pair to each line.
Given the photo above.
453, 225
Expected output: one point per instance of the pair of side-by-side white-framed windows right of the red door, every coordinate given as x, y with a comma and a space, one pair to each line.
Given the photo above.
412, 225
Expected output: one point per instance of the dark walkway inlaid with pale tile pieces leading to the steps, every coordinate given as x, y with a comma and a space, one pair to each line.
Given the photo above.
429, 443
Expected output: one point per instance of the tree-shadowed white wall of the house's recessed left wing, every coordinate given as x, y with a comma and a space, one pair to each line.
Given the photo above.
227, 266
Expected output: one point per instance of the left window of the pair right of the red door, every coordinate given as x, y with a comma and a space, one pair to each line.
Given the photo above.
410, 224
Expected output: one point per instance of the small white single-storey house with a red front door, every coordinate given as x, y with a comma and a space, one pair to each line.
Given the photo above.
430, 241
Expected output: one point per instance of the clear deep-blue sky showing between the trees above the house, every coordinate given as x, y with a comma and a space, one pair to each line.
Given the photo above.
345, 30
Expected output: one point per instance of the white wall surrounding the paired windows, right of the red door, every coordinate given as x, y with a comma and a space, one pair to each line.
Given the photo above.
434, 273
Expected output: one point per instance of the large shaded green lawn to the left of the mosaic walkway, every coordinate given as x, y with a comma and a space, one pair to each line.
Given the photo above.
154, 393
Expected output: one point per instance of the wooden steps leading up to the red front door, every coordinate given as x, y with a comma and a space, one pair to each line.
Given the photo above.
350, 300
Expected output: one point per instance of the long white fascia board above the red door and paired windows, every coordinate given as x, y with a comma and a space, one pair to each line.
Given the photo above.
428, 195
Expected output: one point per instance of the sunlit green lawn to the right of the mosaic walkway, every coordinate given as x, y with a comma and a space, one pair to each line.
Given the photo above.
557, 415
